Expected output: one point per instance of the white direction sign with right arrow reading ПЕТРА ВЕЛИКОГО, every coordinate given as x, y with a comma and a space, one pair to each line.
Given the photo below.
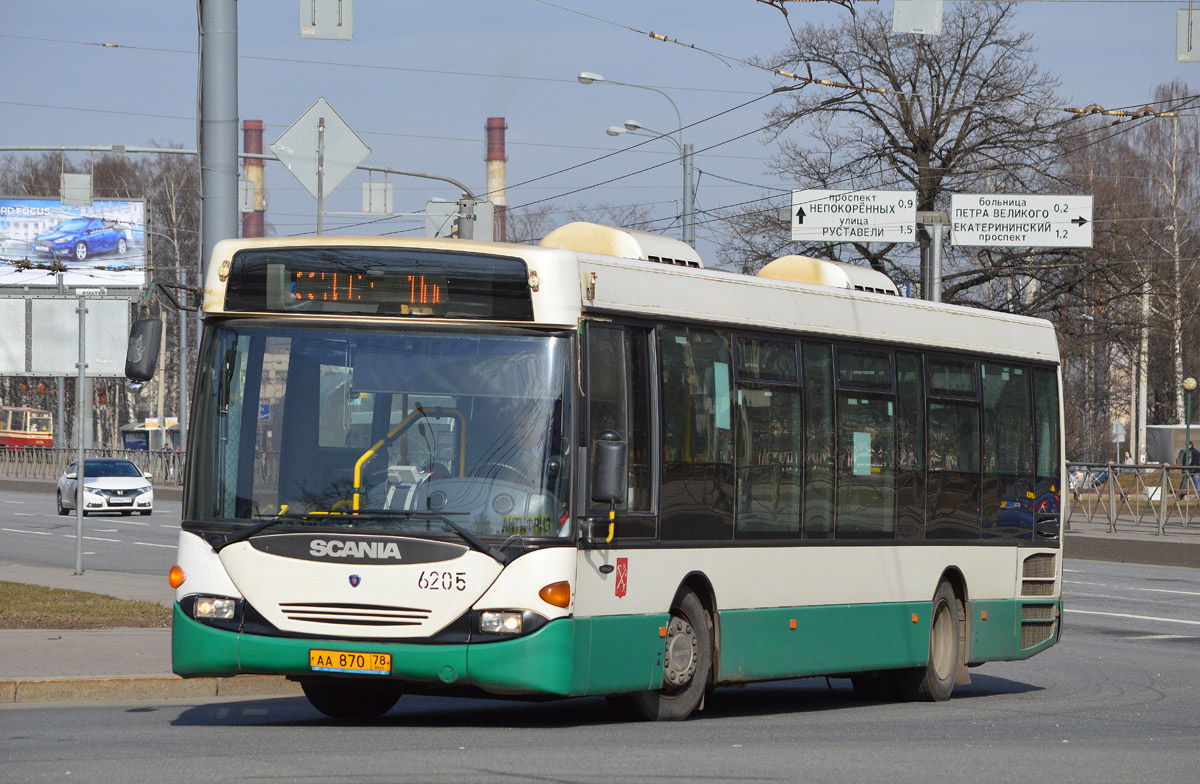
1021, 220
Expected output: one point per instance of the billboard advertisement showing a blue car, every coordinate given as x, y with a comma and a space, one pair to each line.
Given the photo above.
103, 244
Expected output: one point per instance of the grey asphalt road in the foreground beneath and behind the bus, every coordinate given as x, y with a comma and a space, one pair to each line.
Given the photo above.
1118, 701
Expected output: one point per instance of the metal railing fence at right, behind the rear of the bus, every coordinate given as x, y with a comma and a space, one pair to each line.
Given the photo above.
1159, 496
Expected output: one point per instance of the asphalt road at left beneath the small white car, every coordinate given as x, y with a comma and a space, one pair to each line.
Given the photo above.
33, 534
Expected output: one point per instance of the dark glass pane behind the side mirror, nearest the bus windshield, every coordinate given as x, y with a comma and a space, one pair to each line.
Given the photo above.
619, 399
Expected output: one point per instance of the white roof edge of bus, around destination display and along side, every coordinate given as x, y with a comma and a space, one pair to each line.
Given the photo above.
567, 285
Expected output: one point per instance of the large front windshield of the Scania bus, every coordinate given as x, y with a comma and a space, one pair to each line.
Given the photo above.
382, 429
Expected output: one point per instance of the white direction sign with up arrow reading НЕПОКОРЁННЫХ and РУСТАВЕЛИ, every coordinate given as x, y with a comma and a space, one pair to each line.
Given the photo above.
855, 217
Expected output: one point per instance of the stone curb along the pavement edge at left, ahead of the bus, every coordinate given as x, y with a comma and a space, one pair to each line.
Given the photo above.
136, 689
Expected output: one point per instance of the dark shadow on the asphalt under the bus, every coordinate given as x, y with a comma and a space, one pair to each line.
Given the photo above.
806, 696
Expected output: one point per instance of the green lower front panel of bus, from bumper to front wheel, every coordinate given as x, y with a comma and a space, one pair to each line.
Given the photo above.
567, 657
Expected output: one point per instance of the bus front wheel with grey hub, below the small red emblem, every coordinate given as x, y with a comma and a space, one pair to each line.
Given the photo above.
687, 665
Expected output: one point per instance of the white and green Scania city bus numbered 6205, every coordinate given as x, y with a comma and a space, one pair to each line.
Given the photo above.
595, 468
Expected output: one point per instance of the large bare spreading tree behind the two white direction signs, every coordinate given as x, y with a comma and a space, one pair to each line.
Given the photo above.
964, 111
